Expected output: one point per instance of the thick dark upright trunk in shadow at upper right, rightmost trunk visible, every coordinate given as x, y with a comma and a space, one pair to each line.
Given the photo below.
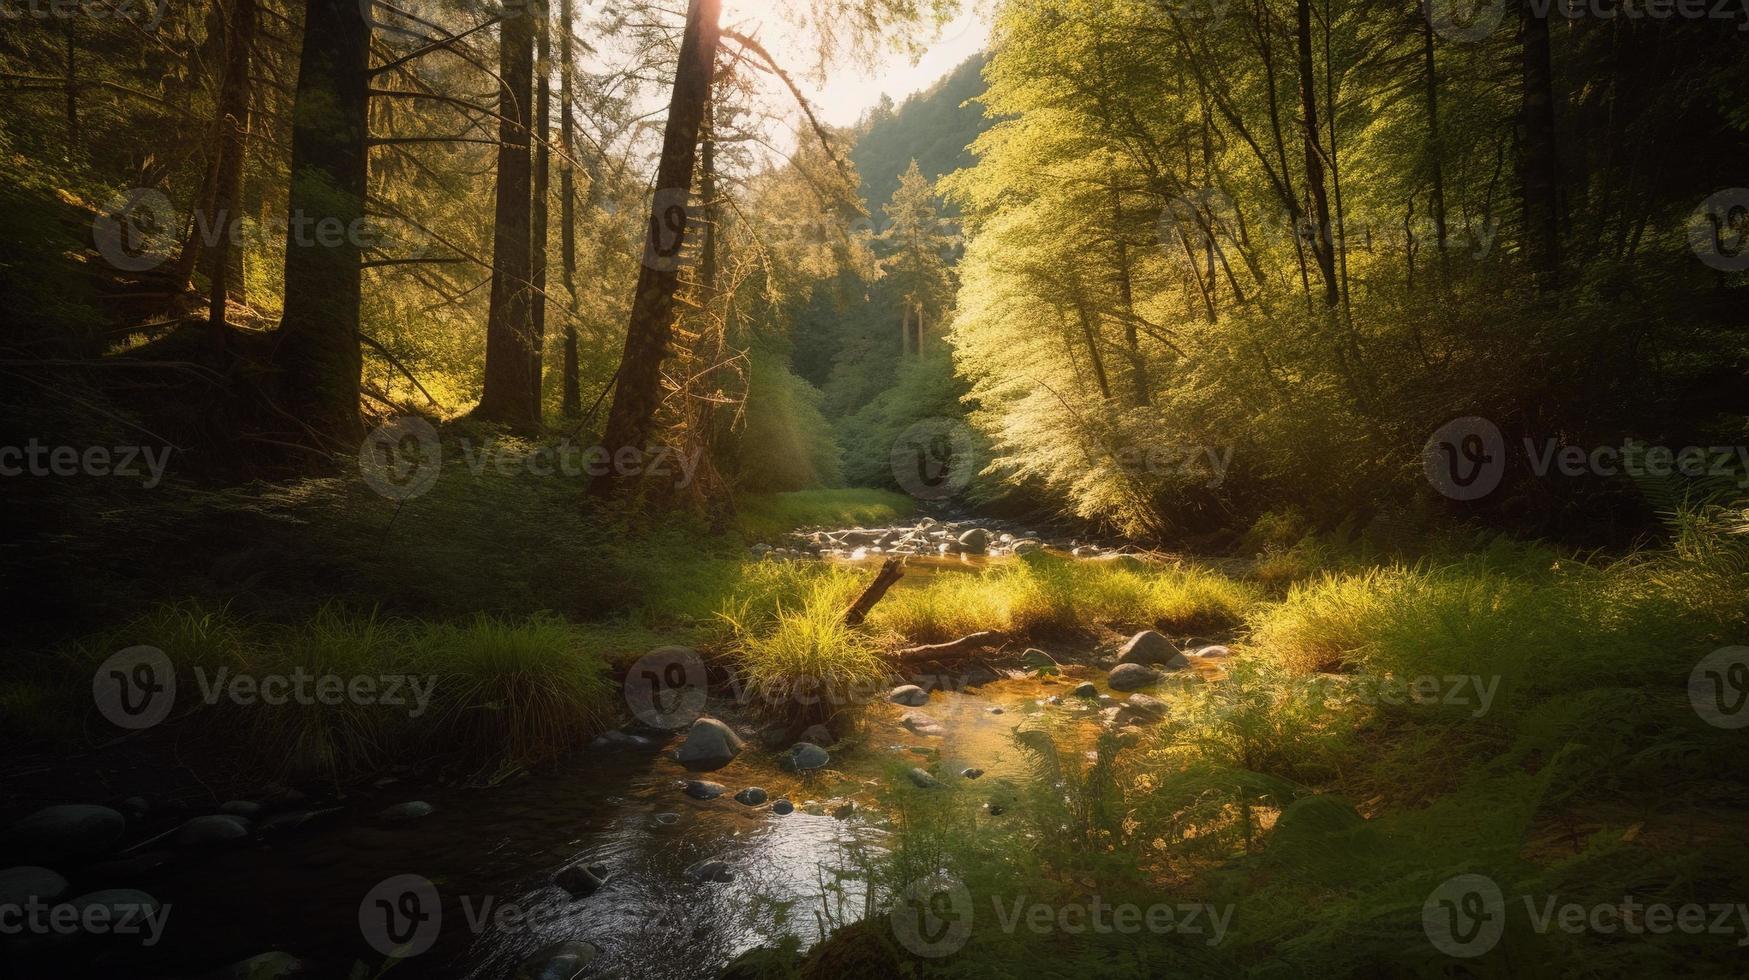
1540, 162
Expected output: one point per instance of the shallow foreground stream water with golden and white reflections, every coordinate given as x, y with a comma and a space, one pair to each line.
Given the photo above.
489, 850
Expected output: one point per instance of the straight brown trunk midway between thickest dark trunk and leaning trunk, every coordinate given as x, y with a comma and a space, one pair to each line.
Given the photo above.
508, 395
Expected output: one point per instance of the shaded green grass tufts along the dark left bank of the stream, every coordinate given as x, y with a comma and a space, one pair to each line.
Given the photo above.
489, 692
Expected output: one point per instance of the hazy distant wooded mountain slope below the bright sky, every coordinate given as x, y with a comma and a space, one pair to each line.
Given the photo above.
933, 129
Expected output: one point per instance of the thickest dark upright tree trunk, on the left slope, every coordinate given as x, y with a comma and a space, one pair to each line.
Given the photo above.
317, 347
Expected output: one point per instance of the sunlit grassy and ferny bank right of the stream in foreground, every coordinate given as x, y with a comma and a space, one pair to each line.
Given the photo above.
1514, 715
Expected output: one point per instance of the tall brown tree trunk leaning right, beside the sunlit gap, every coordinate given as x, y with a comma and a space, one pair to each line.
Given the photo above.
639, 388
